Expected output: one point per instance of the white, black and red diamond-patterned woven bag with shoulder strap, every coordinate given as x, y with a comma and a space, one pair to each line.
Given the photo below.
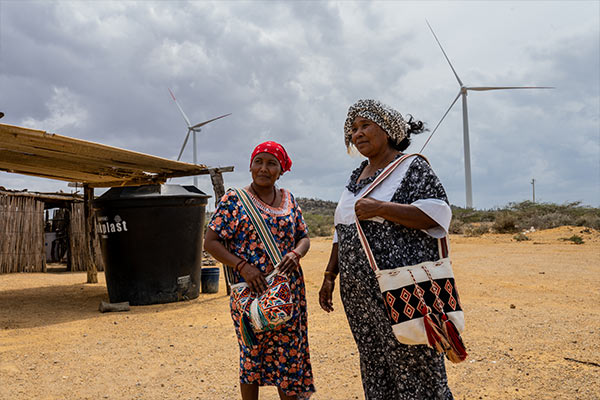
421, 300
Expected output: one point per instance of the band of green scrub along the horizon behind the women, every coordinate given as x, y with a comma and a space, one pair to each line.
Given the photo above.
513, 218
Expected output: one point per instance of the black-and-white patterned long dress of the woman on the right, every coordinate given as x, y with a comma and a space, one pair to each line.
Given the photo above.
390, 370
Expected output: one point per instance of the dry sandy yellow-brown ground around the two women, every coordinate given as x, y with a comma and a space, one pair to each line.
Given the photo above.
533, 331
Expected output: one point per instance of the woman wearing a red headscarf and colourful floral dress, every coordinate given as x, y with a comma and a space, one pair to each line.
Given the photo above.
281, 356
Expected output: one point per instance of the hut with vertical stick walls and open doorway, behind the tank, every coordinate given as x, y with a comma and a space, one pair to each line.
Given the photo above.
22, 232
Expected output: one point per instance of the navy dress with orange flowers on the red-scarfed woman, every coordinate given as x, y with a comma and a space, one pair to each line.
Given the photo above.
281, 358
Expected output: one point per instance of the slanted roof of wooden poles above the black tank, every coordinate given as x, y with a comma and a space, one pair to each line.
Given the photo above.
48, 155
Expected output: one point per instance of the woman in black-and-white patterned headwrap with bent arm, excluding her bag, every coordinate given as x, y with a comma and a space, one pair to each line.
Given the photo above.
402, 221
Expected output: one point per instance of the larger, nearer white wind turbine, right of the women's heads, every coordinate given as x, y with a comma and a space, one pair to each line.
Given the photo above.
463, 92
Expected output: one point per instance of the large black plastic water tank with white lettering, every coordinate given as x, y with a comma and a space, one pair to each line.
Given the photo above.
151, 238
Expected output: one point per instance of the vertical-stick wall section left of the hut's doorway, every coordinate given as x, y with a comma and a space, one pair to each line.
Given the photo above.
21, 235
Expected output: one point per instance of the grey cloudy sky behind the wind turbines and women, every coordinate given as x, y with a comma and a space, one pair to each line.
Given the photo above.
288, 71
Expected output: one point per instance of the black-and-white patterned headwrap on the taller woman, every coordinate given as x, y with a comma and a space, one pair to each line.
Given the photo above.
386, 117
